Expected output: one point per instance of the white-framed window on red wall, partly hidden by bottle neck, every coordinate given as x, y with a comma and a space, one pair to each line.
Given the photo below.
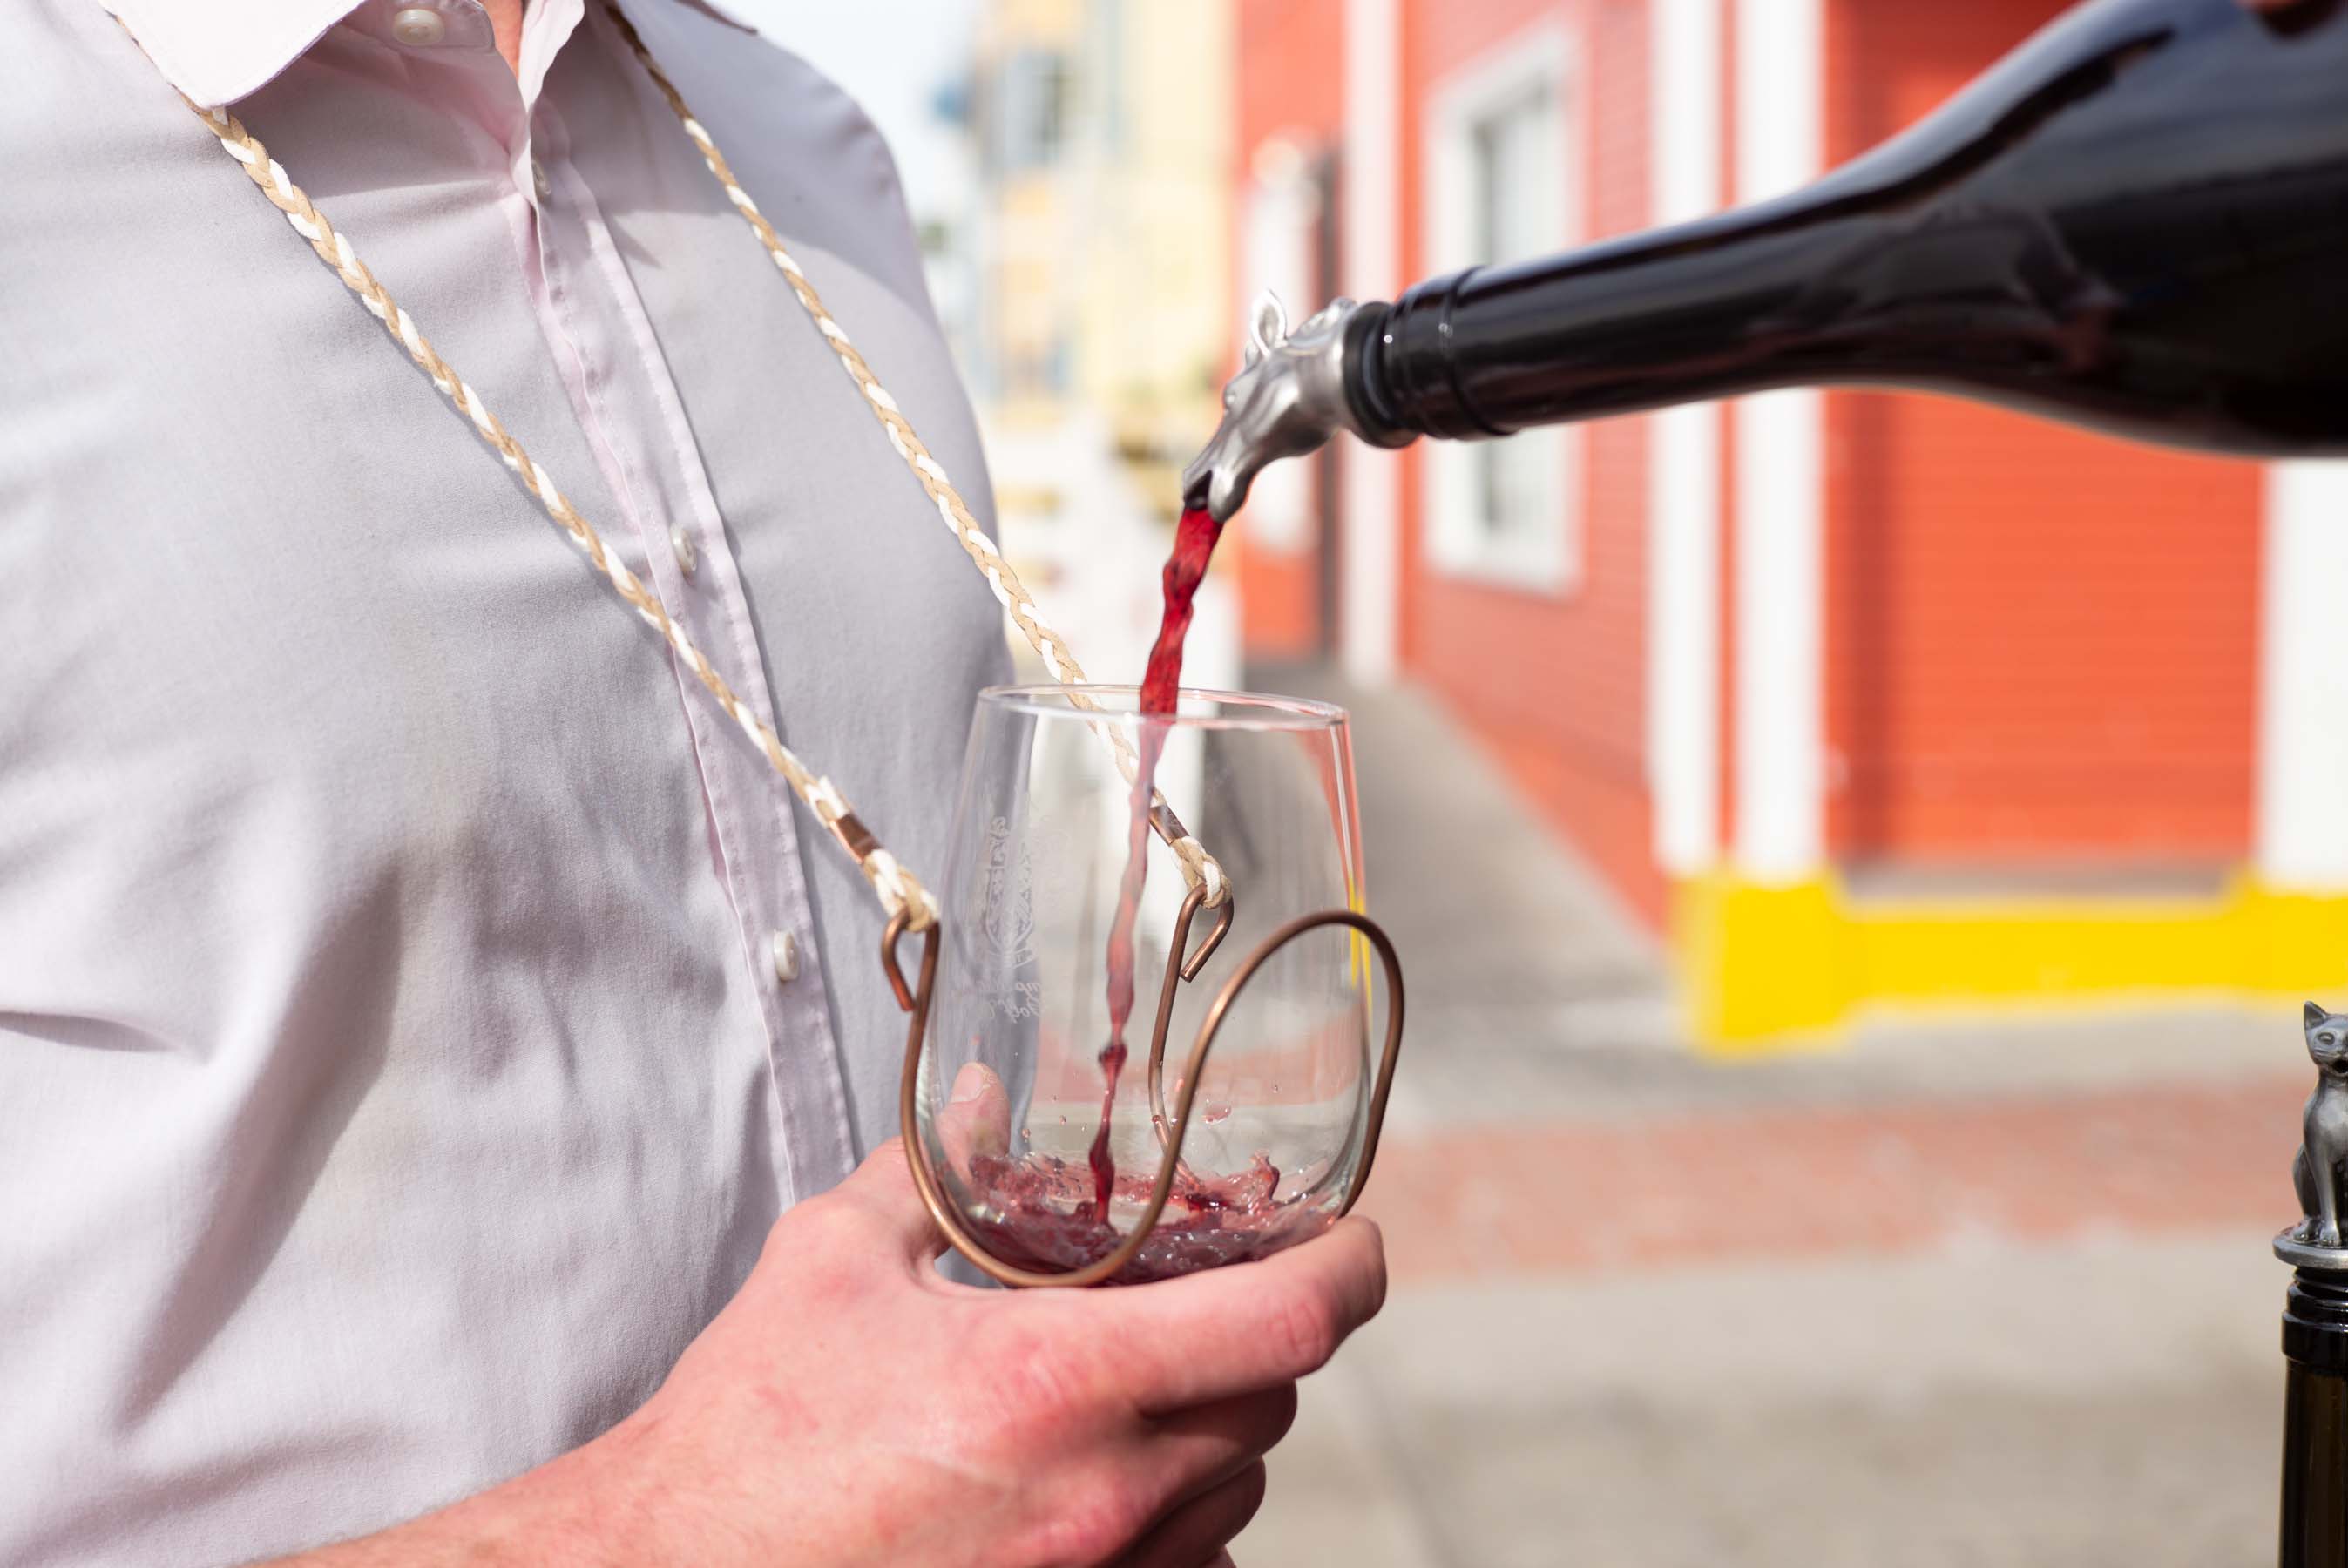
1504, 187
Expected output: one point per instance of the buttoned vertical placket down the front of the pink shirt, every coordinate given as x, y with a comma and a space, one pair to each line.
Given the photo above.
635, 424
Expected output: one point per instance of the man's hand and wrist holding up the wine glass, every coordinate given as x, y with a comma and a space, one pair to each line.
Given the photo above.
853, 1407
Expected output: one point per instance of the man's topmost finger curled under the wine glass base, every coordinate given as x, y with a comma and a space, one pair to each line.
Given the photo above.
1248, 1327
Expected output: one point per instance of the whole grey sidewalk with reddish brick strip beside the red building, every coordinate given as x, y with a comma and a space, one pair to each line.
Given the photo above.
1955, 1295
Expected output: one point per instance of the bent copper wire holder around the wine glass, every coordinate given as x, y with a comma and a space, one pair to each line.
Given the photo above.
1170, 1133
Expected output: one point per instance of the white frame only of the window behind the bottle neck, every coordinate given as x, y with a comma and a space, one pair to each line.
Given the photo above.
1457, 543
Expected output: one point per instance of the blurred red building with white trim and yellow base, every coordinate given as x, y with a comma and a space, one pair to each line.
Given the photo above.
1861, 698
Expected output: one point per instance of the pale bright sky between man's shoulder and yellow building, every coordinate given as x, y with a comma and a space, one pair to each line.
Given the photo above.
889, 55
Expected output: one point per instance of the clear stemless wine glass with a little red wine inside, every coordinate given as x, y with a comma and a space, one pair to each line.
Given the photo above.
1250, 1034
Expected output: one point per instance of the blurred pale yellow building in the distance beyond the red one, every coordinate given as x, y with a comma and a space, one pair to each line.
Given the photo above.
1100, 248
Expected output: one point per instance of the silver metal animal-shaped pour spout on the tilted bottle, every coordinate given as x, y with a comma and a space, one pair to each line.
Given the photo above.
1286, 403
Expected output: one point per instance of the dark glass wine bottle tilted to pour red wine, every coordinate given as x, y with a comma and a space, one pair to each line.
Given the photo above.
2138, 219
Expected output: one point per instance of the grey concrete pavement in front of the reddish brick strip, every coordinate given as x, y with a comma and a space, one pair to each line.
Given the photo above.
2074, 1407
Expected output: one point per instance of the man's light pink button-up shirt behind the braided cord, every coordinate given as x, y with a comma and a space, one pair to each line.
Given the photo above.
396, 1062
